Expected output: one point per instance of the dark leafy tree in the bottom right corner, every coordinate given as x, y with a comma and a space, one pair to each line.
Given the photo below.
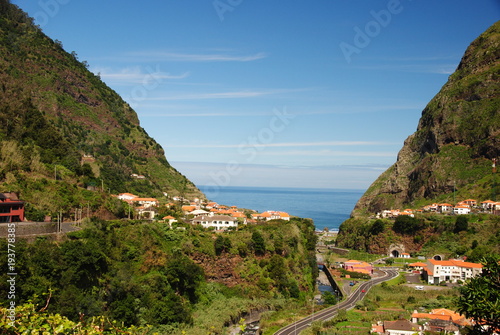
480, 298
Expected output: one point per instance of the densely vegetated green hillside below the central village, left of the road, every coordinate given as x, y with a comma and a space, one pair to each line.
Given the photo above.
148, 274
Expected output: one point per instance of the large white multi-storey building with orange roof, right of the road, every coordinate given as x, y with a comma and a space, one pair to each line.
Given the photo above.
451, 270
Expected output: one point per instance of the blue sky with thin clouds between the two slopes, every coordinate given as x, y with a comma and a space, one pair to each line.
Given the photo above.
272, 93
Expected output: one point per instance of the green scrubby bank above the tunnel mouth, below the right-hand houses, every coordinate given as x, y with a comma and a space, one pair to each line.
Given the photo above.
474, 236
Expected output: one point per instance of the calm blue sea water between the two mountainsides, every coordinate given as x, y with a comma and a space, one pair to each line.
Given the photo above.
327, 207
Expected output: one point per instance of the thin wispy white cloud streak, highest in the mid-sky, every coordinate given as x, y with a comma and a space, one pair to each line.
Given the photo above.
196, 57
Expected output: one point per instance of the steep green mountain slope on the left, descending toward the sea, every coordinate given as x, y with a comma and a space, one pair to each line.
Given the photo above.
53, 112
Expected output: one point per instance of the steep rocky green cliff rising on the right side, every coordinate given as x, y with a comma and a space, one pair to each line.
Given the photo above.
457, 137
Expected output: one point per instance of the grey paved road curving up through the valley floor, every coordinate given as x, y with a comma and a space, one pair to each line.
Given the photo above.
325, 314
